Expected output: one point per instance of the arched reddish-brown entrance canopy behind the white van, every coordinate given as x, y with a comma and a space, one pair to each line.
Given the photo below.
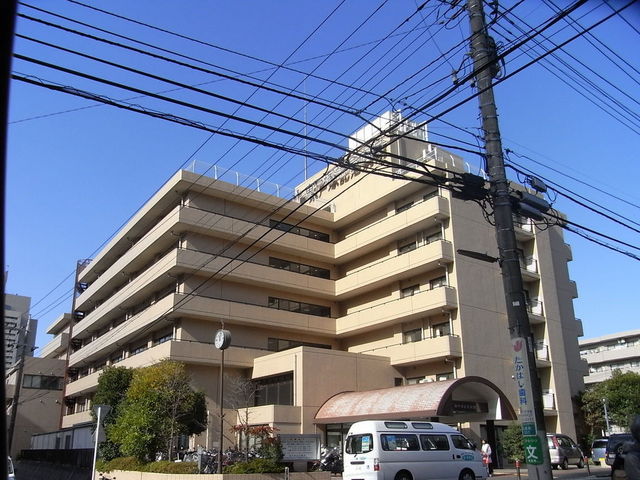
459, 400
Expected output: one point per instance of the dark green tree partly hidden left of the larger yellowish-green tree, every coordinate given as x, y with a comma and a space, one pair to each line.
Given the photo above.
113, 384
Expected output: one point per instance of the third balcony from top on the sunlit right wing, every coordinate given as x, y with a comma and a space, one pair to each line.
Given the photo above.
399, 310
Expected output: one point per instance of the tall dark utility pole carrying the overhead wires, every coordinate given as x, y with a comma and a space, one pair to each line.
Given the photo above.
483, 52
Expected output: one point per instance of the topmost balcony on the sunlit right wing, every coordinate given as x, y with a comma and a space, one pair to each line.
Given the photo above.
391, 228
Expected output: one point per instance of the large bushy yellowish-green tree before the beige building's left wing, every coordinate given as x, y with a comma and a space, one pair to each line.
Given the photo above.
159, 405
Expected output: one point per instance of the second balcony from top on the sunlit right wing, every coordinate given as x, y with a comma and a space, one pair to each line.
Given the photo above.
394, 268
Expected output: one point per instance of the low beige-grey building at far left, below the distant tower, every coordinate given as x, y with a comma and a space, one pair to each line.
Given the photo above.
39, 400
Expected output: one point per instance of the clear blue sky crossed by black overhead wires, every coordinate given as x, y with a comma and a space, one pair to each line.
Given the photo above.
78, 169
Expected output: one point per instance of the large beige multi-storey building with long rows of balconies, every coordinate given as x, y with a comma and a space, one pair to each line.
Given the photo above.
359, 290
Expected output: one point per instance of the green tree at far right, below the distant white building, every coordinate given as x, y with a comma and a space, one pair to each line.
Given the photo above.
622, 394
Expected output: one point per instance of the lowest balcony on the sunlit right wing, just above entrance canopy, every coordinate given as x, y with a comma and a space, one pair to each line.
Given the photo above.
426, 350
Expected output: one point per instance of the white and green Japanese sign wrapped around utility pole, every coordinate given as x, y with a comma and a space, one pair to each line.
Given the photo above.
533, 449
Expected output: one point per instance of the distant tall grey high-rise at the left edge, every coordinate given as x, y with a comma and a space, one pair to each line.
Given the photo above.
19, 329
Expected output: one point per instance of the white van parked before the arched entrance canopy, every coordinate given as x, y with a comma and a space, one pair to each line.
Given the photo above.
408, 450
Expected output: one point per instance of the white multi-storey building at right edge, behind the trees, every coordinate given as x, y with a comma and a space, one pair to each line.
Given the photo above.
617, 351
